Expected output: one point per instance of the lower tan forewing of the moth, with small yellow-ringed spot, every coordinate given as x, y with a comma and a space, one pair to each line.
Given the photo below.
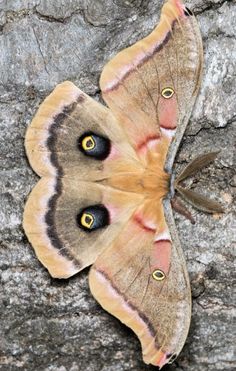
122, 280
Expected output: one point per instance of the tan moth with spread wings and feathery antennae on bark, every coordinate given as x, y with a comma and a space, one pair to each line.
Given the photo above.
107, 184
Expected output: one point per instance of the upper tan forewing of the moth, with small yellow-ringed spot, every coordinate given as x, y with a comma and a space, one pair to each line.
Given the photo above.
137, 83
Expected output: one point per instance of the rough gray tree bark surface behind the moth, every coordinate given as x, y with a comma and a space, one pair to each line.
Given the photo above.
47, 324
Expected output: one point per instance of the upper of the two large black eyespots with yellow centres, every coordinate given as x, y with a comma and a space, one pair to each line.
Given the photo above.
94, 145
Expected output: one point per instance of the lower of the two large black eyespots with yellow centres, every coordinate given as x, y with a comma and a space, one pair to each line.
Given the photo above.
93, 217
